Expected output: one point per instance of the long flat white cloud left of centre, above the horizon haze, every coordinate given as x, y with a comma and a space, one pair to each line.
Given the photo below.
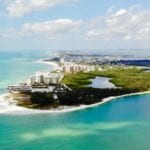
49, 29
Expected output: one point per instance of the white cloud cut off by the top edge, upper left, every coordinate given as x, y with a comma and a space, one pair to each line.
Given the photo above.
19, 8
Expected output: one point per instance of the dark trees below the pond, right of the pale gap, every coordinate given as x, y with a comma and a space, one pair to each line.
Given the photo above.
89, 95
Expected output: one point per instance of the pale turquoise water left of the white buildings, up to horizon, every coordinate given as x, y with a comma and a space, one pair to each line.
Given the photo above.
16, 67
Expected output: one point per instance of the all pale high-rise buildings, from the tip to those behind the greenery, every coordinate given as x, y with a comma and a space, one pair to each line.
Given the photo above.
49, 82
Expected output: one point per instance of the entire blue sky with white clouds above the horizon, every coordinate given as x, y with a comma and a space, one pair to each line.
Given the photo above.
74, 24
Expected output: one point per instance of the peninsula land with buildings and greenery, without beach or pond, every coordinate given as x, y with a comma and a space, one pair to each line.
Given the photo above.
68, 85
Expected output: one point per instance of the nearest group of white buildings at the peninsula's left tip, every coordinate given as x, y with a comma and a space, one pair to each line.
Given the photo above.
40, 82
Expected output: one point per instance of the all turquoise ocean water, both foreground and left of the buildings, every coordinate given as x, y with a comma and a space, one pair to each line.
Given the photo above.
122, 124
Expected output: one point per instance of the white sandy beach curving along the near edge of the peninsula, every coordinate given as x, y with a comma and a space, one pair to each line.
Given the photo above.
10, 107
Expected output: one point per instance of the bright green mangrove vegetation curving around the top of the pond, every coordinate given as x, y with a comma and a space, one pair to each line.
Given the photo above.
132, 78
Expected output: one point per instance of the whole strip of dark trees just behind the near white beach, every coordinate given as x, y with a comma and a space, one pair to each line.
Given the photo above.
78, 96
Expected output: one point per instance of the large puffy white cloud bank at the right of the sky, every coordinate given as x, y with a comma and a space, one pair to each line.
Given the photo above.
126, 24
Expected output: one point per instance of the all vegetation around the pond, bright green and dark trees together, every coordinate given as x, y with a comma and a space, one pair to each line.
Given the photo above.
129, 80
